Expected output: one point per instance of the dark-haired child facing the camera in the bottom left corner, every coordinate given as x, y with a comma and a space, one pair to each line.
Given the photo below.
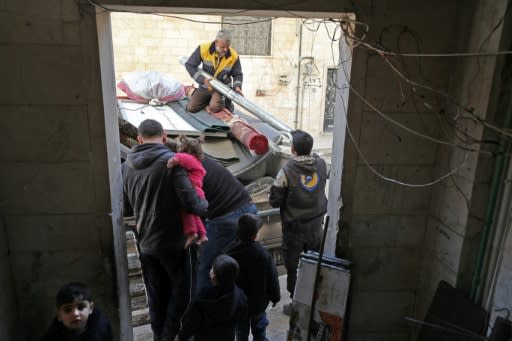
77, 319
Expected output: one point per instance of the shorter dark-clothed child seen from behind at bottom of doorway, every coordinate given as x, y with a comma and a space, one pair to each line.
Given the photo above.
217, 310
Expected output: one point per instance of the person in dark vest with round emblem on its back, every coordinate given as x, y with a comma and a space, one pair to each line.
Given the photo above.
299, 192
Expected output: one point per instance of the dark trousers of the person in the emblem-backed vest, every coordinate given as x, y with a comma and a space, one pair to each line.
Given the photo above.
299, 237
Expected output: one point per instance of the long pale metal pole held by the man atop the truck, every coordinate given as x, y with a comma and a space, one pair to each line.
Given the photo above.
243, 102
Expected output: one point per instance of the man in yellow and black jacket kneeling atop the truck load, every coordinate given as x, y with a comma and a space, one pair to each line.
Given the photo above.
221, 61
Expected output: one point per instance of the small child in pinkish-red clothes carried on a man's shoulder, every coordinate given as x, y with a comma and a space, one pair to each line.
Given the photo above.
189, 156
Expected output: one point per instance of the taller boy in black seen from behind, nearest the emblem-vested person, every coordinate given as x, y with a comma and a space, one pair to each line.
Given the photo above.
258, 277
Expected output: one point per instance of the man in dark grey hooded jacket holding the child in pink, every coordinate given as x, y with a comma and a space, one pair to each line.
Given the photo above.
155, 195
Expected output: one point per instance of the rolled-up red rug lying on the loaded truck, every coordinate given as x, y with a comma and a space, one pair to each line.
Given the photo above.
243, 132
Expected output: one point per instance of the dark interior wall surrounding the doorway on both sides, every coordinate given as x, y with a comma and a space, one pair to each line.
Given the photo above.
54, 179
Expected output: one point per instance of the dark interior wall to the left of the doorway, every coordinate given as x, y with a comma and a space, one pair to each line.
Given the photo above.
54, 182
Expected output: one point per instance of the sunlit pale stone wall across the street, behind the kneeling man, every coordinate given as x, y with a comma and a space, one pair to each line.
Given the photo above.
144, 42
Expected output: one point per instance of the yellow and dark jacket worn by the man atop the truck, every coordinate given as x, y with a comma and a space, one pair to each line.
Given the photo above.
227, 69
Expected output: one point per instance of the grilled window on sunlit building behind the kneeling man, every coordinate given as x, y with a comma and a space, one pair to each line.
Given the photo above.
250, 35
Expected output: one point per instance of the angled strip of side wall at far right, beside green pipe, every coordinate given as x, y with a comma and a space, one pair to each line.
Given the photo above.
458, 208
